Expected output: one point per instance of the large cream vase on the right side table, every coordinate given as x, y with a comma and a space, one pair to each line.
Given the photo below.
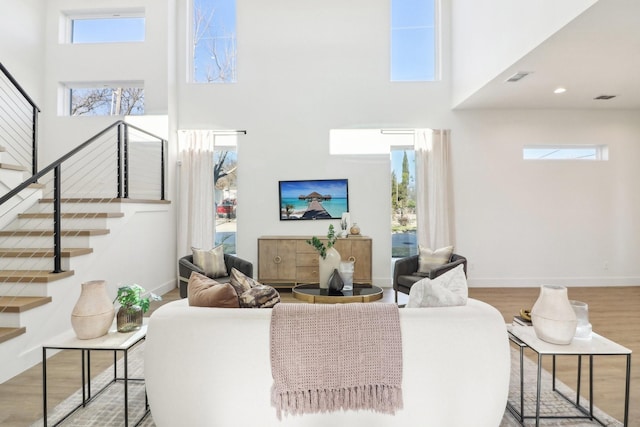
553, 318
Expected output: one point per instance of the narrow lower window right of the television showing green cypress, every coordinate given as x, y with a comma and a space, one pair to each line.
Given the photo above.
403, 202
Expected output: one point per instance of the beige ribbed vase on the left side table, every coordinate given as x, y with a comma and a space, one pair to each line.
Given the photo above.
93, 313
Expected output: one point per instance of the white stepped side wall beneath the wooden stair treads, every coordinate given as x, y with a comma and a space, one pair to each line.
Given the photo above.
140, 248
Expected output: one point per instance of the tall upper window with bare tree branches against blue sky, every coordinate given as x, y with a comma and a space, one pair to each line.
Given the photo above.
214, 41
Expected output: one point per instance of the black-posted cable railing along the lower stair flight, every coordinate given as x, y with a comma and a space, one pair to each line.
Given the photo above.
122, 162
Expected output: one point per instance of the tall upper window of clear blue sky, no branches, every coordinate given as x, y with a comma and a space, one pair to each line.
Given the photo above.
413, 40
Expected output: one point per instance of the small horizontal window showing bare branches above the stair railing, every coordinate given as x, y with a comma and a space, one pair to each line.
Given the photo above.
115, 99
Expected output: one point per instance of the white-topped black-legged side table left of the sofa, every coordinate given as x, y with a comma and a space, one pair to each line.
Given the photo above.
113, 341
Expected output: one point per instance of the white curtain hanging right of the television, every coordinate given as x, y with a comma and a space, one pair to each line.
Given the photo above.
434, 192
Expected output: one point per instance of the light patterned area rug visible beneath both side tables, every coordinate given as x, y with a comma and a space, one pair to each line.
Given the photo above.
108, 408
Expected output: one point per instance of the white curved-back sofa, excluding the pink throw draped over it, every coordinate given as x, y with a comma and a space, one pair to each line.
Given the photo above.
211, 367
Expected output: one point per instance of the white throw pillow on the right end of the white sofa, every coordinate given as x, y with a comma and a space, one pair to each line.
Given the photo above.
449, 289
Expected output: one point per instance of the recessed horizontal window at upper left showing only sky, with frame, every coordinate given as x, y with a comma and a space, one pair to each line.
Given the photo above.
113, 27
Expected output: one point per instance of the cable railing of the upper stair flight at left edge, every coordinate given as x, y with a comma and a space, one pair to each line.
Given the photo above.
18, 123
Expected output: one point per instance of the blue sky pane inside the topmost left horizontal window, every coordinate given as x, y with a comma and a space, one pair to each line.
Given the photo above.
107, 30
